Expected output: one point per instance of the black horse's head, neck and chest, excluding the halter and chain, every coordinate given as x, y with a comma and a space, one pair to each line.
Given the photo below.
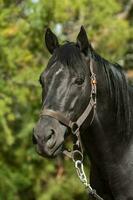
108, 139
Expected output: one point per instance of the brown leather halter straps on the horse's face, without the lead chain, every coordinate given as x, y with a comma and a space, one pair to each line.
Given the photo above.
75, 125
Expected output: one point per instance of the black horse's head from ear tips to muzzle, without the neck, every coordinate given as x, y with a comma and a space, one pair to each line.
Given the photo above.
66, 89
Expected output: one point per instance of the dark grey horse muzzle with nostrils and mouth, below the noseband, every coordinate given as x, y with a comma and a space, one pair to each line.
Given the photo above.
48, 136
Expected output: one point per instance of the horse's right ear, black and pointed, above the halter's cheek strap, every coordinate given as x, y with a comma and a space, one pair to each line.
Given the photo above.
82, 41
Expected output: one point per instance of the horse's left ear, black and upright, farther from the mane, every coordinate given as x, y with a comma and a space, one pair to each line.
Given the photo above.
51, 40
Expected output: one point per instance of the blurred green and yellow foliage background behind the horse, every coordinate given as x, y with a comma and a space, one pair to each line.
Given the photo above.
109, 24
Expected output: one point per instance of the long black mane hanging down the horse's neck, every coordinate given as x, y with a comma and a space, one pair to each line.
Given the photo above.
118, 92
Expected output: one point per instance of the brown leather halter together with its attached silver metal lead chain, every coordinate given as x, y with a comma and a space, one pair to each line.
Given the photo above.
77, 153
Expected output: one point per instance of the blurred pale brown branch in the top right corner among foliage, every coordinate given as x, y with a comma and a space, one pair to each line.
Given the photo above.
126, 13
